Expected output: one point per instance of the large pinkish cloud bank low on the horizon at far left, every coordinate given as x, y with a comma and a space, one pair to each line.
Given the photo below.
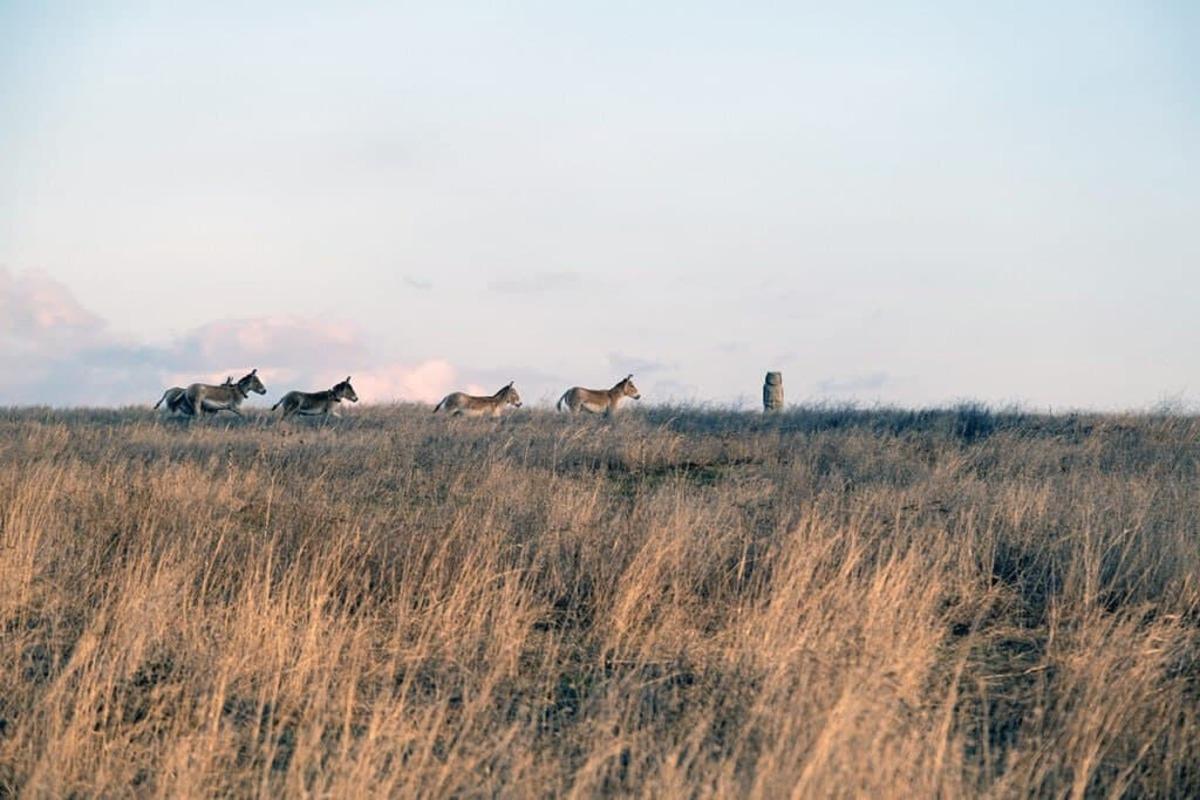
56, 352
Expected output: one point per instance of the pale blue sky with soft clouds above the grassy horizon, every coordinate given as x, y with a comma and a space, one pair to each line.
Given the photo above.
902, 203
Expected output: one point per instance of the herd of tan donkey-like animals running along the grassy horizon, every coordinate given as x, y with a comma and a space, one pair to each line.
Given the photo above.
199, 400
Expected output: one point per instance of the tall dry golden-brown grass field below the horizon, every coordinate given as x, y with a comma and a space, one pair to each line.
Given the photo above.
677, 603
